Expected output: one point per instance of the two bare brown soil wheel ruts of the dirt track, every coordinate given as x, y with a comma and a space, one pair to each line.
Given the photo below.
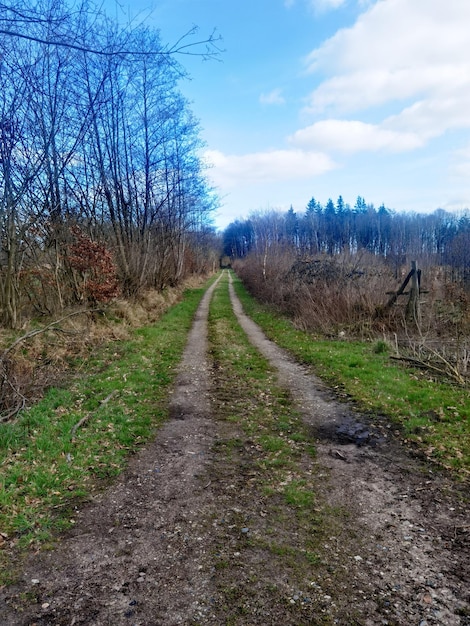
141, 553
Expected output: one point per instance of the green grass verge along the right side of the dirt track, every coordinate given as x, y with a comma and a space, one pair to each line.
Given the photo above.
432, 415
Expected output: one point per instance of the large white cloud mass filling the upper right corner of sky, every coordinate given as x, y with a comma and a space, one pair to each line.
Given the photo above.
412, 56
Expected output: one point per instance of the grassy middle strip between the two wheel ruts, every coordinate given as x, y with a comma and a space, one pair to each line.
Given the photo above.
271, 560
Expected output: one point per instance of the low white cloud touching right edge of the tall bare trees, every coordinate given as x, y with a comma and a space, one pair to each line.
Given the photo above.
231, 171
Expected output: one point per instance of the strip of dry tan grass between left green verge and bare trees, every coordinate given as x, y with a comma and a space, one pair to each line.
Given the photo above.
50, 358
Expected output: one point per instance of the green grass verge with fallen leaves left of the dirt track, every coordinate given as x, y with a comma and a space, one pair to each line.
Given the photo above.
62, 448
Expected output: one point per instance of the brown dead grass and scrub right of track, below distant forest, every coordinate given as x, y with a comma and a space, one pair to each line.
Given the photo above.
349, 297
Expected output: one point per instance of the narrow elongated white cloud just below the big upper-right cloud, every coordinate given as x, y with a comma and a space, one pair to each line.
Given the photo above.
351, 136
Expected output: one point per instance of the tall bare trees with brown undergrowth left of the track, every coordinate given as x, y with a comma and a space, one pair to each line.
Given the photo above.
101, 187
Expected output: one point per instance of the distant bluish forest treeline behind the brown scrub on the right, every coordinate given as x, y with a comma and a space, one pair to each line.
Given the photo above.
440, 238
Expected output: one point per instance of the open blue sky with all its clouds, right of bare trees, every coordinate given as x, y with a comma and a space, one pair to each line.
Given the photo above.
329, 97
